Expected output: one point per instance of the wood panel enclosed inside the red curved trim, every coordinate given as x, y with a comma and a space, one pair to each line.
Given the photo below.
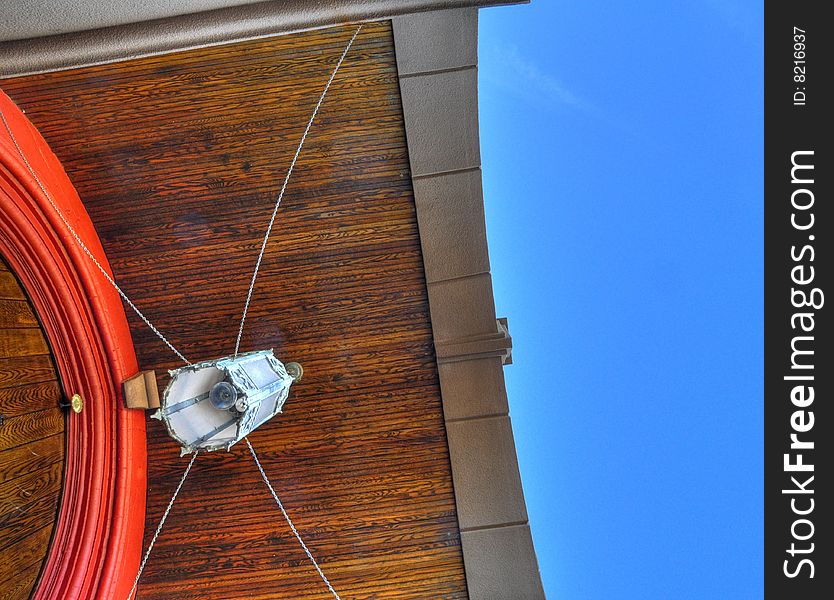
31, 442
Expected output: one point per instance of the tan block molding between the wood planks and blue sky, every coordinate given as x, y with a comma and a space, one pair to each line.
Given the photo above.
438, 86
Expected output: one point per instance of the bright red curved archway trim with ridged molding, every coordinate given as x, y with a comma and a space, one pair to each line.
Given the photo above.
97, 539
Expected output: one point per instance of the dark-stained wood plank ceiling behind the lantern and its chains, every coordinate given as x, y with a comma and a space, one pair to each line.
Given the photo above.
178, 159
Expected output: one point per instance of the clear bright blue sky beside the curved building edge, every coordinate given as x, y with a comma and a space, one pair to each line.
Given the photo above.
622, 152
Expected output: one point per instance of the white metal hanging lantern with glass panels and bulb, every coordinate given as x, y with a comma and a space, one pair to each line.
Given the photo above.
213, 405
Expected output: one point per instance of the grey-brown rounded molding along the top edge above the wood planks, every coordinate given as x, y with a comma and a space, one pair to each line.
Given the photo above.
38, 37
